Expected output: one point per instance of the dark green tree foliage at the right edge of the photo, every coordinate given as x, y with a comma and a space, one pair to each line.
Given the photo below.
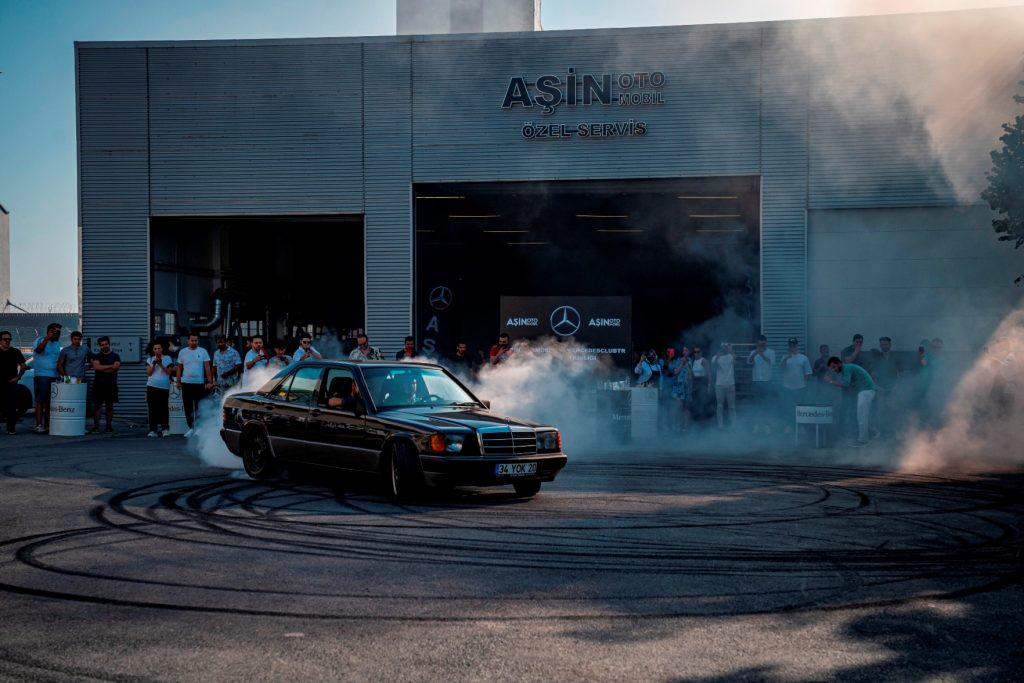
1006, 182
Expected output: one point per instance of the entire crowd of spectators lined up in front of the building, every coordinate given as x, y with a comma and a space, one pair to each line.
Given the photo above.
873, 394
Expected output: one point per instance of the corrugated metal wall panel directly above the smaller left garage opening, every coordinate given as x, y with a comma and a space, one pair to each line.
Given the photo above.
257, 130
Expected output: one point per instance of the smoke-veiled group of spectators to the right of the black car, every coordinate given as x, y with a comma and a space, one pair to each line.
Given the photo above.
874, 394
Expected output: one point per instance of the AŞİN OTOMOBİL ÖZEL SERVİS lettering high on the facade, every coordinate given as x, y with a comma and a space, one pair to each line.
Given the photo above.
546, 94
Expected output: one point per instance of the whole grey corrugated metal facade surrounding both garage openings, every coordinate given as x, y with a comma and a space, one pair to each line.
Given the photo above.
349, 126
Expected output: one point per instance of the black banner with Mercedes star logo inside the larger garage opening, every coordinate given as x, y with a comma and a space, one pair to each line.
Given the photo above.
595, 326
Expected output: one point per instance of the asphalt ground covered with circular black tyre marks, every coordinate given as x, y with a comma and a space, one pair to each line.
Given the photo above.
123, 559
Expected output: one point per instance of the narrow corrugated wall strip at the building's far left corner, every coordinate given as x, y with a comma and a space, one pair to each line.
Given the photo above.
114, 202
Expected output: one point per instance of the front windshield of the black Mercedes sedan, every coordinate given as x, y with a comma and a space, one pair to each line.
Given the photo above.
413, 386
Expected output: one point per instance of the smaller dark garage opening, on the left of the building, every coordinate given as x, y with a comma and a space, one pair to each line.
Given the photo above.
275, 276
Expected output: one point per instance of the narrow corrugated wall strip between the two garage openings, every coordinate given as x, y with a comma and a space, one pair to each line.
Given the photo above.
388, 73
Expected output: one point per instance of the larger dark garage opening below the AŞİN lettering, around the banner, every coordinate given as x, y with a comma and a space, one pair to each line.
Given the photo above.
685, 250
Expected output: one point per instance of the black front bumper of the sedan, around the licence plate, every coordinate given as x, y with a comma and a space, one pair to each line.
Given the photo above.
480, 471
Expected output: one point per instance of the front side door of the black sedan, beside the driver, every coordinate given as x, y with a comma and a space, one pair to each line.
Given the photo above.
337, 431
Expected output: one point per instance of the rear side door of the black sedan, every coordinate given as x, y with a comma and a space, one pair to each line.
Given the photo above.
288, 414
